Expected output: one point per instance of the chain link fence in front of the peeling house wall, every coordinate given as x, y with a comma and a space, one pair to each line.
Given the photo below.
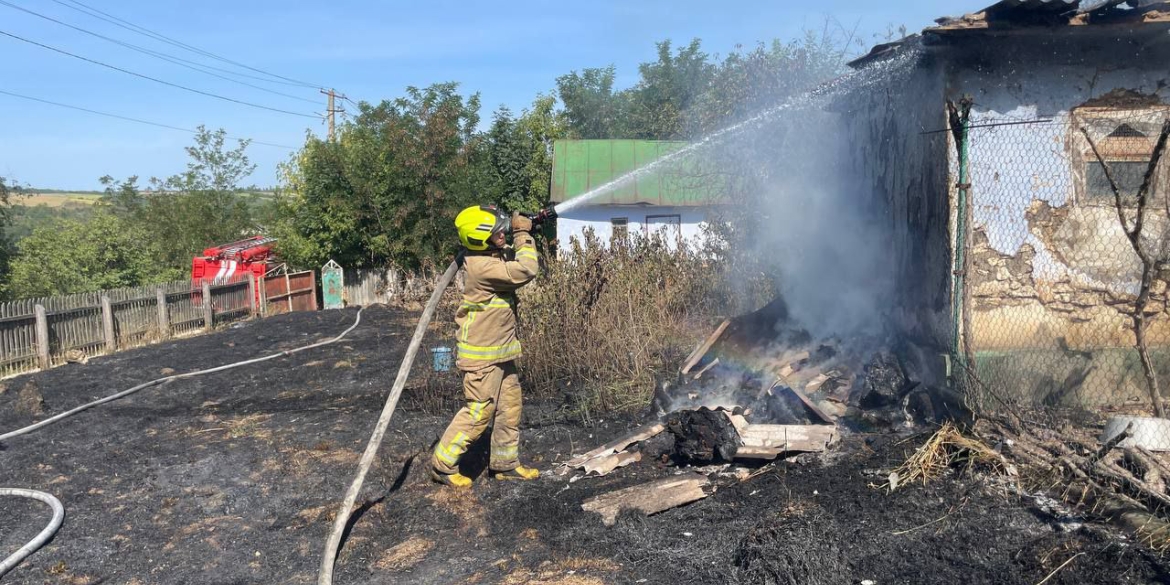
1055, 287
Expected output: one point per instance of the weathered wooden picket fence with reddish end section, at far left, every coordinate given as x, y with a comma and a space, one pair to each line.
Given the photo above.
44, 333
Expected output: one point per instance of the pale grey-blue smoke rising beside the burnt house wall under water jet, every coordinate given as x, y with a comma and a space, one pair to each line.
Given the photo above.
804, 214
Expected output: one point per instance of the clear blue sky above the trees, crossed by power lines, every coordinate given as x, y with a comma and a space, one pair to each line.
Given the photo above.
508, 52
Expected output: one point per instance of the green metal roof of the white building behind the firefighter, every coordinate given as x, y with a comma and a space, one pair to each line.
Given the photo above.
582, 166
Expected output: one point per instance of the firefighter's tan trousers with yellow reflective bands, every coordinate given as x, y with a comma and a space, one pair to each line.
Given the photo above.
493, 398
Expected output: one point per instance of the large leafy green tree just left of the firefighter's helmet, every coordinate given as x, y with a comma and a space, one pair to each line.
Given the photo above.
387, 191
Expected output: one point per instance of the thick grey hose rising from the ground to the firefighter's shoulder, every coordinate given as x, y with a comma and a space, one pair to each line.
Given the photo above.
388, 411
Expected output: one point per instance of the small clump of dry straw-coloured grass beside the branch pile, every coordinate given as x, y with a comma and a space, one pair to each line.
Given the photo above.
946, 450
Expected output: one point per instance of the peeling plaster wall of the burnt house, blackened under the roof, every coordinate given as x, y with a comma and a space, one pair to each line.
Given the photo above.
1050, 271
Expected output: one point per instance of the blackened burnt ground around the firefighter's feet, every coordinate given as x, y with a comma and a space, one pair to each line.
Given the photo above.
233, 478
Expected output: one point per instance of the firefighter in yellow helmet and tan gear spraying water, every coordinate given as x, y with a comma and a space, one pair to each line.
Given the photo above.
487, 345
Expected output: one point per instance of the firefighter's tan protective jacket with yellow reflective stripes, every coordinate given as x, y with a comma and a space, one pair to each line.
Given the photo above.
487, 318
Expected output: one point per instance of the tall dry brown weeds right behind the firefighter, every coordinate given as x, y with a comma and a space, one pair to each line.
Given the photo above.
602, 324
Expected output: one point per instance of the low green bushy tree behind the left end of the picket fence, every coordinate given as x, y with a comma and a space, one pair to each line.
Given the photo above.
82, 257
